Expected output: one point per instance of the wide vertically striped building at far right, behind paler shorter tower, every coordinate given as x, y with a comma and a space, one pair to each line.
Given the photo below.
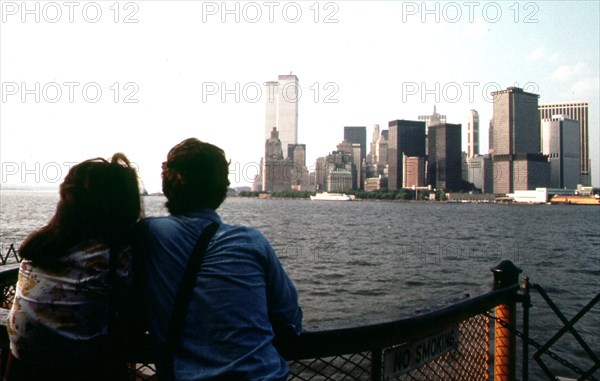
577, 111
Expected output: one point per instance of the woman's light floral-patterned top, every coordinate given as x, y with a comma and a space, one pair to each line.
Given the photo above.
61, 314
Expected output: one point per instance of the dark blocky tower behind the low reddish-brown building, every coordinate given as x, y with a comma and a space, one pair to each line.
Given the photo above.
405, 137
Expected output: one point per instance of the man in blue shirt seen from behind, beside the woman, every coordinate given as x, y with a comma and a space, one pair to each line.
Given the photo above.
241, 298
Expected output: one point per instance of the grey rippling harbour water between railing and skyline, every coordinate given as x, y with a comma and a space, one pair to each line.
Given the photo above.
359, 262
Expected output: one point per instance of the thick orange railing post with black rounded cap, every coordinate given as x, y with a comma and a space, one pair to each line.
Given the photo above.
505, 344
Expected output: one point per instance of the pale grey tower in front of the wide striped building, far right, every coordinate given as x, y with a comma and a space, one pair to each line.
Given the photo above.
561, 143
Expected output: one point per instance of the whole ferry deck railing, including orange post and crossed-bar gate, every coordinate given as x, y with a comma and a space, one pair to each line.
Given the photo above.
472, 339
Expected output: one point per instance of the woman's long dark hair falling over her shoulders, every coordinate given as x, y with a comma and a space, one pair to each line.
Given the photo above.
98, 200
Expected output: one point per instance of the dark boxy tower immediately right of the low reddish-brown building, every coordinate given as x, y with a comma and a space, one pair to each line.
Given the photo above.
444, 168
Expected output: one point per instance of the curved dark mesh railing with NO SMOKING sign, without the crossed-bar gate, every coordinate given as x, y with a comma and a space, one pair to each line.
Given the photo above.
454, 342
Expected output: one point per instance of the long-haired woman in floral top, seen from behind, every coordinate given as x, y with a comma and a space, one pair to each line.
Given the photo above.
74, 278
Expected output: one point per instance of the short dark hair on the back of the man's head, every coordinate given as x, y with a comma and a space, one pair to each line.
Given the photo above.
195, 175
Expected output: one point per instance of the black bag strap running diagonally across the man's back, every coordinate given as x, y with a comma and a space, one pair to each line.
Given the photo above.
184, 293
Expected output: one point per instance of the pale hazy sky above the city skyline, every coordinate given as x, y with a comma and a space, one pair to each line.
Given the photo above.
83, 79
